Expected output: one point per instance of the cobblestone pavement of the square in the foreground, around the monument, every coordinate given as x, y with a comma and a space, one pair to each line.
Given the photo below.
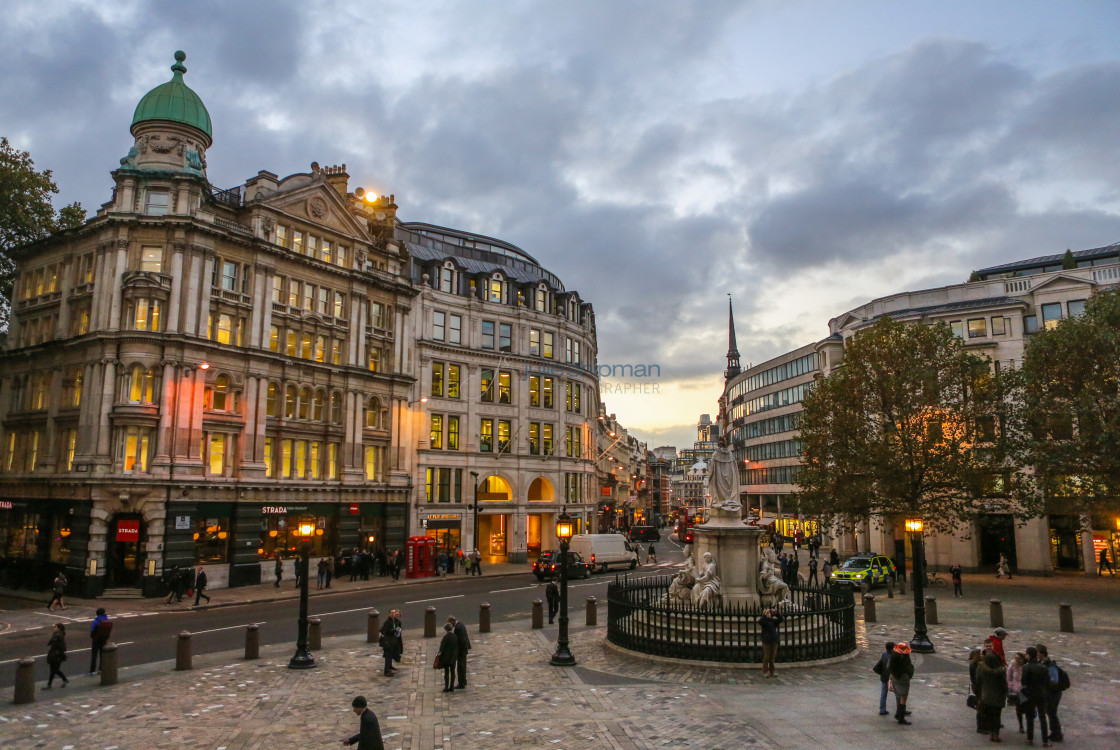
611, 701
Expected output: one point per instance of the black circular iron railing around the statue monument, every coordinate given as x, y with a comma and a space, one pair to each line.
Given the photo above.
823, 625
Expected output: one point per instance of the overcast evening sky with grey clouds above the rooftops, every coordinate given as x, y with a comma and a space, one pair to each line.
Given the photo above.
805, 157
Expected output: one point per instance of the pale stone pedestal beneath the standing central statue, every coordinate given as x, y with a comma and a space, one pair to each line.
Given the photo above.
735, 547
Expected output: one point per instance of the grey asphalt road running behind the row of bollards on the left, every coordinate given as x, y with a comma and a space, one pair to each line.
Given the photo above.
151, 636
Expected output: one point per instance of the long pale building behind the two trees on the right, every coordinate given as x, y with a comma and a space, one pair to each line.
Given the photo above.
995, 314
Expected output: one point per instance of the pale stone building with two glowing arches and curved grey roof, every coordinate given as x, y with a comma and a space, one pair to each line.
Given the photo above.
506, 360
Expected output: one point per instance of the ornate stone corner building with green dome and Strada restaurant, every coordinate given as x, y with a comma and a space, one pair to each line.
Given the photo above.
194, 370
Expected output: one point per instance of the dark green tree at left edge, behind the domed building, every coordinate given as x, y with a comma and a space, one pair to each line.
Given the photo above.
26, 213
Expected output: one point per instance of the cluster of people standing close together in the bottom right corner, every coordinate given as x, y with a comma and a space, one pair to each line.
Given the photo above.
1032, 683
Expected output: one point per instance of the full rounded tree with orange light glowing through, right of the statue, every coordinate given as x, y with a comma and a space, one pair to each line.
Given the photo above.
906, 426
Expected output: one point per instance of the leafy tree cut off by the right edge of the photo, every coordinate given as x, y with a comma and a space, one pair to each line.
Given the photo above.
1068, 404
